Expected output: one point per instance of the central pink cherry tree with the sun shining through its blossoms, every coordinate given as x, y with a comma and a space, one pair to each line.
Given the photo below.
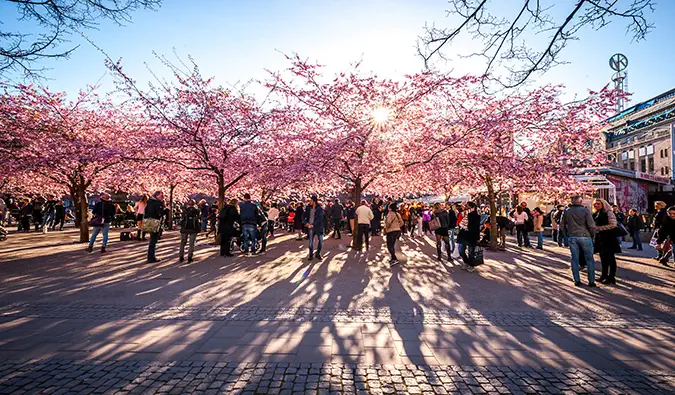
359, 131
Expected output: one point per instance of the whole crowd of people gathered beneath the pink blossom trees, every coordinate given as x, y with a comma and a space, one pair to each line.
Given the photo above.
247, 225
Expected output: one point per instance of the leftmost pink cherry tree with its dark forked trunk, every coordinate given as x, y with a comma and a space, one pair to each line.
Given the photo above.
66, 146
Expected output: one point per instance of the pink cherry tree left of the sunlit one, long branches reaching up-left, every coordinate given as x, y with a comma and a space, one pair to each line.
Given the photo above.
217, 132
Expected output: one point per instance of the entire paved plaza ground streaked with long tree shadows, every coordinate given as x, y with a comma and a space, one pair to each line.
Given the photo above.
72, 322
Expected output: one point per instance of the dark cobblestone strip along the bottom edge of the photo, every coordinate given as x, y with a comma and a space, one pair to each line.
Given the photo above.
142, 377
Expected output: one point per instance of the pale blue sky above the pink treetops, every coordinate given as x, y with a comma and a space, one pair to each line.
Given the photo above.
237, 40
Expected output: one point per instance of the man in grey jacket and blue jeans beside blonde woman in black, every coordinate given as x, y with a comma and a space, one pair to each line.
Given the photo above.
579, 227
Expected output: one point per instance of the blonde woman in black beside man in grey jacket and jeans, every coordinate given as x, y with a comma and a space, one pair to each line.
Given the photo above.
606, 242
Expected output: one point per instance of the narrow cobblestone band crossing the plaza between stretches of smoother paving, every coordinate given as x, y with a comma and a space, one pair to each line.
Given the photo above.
535, 319
